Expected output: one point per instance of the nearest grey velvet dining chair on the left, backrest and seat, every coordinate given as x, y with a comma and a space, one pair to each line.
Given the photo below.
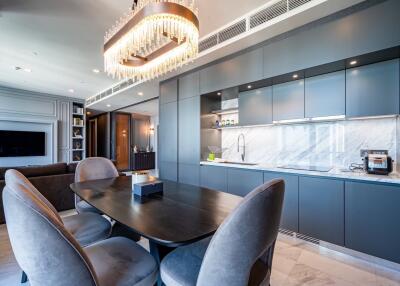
50, 255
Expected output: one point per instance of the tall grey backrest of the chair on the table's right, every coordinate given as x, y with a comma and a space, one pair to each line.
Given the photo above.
244, 237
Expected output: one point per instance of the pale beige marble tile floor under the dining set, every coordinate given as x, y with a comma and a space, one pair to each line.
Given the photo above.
295, 263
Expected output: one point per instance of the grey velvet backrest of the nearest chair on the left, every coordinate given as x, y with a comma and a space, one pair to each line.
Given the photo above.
44, 249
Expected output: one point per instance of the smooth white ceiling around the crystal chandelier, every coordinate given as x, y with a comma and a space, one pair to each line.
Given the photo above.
61, 40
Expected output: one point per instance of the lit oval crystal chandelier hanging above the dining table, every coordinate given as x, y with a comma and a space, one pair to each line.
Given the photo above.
155, 37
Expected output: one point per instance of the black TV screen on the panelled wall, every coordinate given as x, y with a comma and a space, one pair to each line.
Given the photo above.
22, 143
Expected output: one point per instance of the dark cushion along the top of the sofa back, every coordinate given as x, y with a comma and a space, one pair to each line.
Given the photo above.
38, 171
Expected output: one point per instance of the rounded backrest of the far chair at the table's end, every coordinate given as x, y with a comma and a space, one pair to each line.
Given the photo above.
95, 168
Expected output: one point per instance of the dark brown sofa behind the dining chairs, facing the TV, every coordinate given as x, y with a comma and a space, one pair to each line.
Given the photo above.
51, 180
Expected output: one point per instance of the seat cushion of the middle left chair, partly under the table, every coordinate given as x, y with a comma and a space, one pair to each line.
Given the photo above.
87, 228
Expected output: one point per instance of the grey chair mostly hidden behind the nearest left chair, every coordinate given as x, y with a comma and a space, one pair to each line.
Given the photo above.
87, 228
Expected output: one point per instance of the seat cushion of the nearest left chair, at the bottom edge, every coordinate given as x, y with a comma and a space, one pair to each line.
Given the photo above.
119, 261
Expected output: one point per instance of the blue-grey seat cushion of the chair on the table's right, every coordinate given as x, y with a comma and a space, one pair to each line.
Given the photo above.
181, 267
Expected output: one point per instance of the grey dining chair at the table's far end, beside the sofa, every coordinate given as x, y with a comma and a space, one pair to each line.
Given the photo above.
94, 168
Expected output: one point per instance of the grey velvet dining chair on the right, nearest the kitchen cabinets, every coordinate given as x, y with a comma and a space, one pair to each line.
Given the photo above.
240, 252
